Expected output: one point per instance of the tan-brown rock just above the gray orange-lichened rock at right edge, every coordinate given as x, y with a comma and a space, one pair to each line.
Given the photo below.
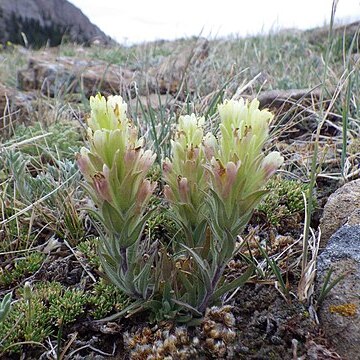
339, 207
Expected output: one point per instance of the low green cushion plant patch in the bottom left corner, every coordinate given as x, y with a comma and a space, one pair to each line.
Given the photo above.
53, 305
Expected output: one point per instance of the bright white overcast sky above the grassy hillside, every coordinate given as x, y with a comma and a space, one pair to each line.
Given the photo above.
145, 20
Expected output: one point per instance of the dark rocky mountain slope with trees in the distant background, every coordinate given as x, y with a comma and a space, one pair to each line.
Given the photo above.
41, 22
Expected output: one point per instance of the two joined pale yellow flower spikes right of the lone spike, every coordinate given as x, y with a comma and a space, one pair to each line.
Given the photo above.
217, 182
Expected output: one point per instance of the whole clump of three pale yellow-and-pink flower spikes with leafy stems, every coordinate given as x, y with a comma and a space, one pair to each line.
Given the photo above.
213, 183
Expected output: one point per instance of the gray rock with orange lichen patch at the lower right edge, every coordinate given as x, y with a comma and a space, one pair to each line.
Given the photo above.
339, 313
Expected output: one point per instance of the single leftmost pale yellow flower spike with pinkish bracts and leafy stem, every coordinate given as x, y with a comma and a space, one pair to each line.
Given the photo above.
115, 168
